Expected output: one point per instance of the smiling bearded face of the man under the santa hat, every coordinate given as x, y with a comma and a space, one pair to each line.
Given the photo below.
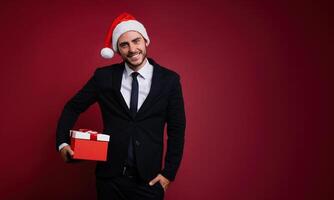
132, 48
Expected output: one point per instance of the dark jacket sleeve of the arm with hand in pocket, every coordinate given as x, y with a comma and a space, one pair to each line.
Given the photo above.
176, 123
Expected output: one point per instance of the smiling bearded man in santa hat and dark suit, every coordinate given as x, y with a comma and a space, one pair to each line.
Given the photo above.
137, 97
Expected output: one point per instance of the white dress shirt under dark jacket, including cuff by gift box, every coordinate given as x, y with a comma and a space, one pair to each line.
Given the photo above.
144, 85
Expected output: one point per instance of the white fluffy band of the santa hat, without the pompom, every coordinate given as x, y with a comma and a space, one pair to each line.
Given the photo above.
125, 26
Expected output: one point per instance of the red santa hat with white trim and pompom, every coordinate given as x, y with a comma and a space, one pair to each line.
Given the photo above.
123, 23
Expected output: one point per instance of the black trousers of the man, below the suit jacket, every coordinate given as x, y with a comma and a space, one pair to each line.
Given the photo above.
127, 187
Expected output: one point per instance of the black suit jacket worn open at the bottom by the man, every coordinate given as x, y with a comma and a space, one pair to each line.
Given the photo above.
163, 105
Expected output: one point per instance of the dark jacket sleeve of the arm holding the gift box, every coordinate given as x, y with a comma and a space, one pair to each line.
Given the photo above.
73, 108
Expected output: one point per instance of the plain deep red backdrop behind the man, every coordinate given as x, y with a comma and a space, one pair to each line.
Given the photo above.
256, 82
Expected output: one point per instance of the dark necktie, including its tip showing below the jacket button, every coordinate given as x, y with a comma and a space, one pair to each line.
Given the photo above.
133, 110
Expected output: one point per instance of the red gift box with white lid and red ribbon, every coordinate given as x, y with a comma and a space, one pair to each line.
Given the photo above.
89, 145
